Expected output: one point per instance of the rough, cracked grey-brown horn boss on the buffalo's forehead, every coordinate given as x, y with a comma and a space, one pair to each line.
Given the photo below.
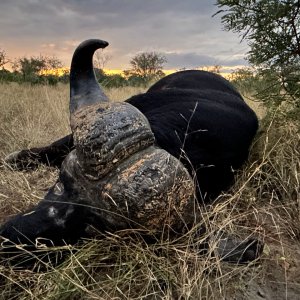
134, 184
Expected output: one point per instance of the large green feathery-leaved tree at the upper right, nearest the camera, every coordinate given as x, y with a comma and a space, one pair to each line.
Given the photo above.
272, 29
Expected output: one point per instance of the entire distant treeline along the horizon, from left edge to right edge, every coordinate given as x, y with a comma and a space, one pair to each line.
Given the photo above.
270, 85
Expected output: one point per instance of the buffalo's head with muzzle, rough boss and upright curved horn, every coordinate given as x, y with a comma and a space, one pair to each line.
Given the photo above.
115, 178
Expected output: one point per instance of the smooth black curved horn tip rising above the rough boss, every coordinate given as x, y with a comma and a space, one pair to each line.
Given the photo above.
84, 88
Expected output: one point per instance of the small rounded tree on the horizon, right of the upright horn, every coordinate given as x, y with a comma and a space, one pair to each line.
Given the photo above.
147, 65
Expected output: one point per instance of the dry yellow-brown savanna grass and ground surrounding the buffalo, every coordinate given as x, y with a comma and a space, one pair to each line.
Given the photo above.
264, 203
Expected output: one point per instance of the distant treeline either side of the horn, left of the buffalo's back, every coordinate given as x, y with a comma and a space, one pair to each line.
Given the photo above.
146, 67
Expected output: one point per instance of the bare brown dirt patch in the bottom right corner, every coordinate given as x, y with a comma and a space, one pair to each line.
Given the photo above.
278, 274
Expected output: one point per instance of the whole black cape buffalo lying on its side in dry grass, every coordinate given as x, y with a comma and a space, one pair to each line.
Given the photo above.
138, 163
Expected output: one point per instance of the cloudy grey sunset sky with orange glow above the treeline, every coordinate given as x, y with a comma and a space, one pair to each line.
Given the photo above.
184, 31
